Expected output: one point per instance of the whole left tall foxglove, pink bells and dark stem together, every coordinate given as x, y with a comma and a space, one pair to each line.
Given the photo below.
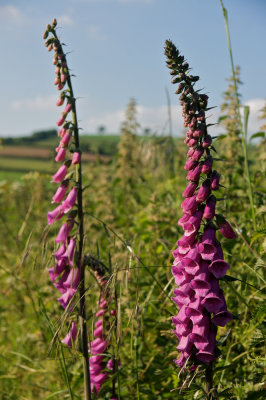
67, 274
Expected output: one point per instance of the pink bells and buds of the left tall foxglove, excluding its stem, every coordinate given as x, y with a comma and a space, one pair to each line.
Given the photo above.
64, 275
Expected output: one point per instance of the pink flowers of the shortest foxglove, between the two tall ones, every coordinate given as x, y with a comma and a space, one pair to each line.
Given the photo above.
98, 361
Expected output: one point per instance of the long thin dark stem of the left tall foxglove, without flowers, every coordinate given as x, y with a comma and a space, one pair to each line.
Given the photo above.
80, 263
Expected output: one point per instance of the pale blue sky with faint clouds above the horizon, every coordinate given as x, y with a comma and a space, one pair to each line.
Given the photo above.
116, 52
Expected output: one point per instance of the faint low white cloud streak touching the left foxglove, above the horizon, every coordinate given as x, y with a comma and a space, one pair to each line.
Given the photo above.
38, 103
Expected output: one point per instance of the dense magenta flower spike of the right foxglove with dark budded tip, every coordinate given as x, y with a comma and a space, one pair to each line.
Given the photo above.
198, 259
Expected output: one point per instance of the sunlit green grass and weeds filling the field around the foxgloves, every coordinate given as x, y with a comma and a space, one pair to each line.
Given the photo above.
139, 254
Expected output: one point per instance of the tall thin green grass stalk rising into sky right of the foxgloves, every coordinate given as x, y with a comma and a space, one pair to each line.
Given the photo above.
246, 112
